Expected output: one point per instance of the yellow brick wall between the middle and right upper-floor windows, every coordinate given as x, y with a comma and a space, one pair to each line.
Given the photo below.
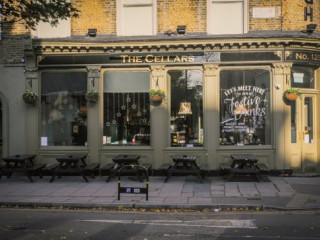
191, 13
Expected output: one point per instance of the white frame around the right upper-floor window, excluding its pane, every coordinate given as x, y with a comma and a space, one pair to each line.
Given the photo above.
210, 14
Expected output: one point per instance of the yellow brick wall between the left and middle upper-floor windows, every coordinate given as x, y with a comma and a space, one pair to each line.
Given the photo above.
99, 14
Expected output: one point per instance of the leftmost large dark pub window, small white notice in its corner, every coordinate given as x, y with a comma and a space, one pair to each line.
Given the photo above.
63, 109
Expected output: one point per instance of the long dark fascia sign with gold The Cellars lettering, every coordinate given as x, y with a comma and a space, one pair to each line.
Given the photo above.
158, 58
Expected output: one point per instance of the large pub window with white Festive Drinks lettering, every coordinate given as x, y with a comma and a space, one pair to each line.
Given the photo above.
245, 107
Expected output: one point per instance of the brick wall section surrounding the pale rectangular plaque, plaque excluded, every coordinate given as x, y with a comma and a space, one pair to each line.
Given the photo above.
274, 23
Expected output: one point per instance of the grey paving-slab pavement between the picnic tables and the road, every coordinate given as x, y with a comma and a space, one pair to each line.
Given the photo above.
279, 193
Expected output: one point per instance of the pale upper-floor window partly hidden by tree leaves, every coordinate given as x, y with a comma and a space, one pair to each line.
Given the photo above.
45, 30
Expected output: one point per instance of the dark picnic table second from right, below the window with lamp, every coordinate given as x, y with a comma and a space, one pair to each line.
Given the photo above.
184, 165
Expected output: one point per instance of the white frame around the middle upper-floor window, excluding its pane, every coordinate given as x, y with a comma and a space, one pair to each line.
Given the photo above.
136, 3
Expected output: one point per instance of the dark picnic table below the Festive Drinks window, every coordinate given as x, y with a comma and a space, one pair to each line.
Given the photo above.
242, 165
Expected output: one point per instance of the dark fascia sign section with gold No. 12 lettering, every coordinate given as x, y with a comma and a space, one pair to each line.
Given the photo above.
303, 56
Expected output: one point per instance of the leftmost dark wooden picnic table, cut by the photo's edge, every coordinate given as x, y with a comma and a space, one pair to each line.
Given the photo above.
21, 163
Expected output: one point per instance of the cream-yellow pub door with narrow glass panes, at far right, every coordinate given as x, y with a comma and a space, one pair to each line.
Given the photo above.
303, 149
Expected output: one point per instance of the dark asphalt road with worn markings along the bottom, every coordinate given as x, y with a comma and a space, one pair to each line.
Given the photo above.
49, 224
